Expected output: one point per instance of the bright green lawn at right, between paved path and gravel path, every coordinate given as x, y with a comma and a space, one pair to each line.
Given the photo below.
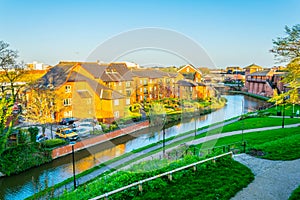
279, 144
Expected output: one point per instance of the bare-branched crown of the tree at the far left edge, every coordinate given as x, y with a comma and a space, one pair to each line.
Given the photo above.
12, 73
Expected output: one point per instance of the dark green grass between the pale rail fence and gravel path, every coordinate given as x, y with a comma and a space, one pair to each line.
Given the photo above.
213, 181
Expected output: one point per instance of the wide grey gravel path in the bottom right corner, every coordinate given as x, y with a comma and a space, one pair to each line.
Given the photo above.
273, 179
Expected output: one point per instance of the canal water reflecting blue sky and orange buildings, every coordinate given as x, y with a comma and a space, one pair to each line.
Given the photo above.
27, 183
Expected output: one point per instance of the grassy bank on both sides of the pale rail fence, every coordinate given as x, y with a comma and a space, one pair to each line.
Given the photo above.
226, 178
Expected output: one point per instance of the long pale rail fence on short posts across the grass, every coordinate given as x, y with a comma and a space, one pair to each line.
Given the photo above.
169, 174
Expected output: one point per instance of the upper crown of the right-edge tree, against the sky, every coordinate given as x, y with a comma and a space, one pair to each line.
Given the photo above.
288, 47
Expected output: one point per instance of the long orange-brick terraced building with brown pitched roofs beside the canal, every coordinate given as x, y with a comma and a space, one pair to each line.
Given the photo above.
104, 91
